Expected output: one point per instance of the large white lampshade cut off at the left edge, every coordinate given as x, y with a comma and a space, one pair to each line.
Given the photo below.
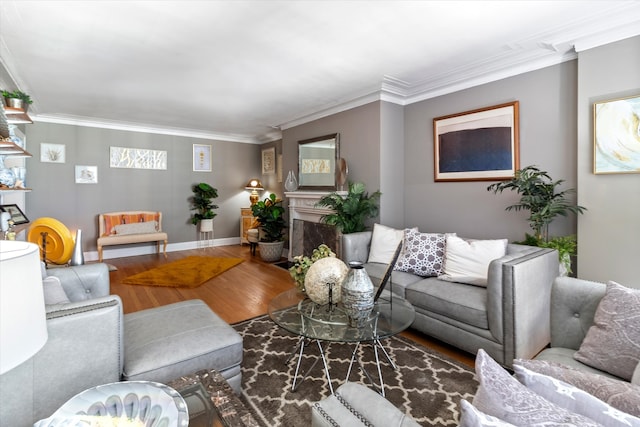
23, 323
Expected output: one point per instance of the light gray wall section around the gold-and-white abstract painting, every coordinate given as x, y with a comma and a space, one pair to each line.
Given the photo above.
608, 234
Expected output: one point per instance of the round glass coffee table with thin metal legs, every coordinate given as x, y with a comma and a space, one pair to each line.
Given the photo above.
325, 324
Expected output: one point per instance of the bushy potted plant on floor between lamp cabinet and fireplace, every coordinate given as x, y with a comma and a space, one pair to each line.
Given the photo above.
270, 215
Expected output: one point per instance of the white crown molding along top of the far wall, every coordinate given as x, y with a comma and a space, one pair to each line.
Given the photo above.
135, 127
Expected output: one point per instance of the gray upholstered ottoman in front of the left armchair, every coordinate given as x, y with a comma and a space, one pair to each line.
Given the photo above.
164, 343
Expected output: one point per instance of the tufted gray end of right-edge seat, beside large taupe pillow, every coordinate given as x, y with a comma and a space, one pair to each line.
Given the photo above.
573, 307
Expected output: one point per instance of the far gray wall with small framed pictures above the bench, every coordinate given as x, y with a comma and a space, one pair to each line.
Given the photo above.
55, 193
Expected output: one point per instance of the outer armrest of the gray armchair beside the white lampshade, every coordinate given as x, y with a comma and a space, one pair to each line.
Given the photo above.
84, 349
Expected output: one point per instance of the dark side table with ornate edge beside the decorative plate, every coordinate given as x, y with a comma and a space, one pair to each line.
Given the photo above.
211, 401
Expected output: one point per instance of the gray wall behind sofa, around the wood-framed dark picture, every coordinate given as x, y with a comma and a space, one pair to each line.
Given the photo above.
547, 139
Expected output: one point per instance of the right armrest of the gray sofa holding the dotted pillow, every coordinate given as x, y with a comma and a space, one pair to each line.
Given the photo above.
518, 295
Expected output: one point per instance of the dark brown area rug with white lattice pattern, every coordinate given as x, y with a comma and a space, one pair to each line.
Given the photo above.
427, 385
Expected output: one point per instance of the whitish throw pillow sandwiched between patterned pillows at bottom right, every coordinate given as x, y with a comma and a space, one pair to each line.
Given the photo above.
573, 399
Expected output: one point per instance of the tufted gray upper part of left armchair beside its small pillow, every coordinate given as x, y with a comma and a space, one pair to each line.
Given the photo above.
83, 282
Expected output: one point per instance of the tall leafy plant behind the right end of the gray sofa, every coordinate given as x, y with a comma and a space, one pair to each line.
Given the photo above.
540, 197
